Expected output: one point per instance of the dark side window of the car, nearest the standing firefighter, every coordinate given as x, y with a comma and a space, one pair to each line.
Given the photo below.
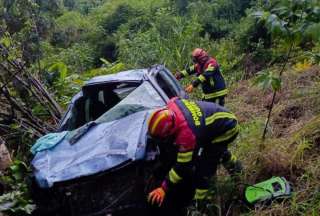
168, 84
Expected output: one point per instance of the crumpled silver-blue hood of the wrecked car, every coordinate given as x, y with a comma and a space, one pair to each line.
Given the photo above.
104, 146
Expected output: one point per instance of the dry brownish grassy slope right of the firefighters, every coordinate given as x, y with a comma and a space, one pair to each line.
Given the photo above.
291, 148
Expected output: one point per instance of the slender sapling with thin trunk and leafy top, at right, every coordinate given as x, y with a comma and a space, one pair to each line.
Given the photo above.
287, 20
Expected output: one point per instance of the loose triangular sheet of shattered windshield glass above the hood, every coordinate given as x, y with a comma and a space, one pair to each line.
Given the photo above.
142, 98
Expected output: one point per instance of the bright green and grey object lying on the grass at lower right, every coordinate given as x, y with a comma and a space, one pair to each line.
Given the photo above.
276, 187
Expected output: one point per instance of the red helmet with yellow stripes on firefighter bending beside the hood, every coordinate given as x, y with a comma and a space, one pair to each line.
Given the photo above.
161, 123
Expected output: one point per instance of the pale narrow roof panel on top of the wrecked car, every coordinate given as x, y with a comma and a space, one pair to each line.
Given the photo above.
132, 75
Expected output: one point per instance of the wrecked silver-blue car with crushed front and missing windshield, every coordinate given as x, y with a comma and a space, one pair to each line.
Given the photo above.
104, 163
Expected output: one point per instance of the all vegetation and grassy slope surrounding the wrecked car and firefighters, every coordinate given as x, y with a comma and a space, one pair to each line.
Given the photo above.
271, 44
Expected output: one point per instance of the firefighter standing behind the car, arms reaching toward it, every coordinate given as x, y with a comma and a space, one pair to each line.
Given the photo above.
208, 75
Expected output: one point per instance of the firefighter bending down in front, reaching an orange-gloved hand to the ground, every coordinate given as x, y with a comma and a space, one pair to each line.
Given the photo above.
201, 132
